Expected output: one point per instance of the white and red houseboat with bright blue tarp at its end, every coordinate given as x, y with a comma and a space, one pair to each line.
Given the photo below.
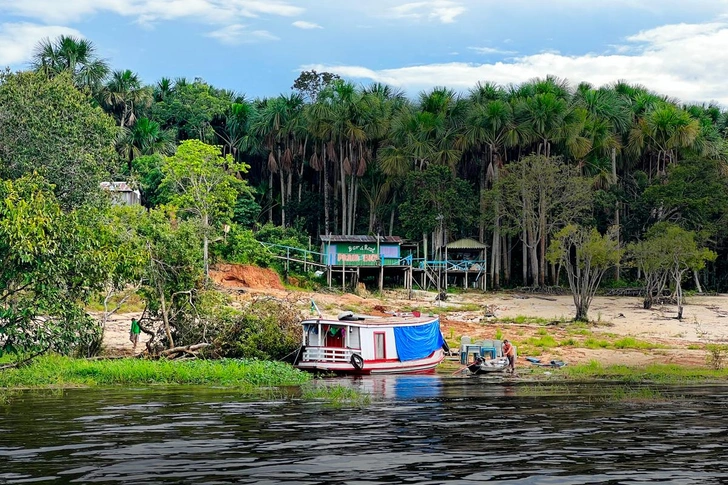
358, 344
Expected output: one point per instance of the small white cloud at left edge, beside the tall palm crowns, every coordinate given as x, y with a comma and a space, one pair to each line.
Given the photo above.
17, 40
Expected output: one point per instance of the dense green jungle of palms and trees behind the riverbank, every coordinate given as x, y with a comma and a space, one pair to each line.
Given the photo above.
509, 165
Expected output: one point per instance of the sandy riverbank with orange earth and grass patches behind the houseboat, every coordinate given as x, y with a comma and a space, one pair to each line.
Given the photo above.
621, 331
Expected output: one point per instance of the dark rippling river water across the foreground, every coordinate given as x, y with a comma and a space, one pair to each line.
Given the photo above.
415, 430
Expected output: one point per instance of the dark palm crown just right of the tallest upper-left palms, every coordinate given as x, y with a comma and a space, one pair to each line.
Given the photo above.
123, 95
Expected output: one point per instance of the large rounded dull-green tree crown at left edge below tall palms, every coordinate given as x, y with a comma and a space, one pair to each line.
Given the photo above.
50, 127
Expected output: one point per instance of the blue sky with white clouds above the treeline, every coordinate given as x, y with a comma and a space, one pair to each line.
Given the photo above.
258, 47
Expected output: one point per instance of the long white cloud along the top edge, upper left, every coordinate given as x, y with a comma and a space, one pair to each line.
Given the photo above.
149, 11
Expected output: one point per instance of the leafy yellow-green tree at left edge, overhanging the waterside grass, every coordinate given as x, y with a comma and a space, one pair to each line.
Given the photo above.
51, 262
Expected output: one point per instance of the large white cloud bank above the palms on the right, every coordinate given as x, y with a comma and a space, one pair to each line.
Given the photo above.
688, 61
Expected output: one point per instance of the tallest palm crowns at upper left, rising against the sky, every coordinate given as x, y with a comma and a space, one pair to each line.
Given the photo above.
73, 55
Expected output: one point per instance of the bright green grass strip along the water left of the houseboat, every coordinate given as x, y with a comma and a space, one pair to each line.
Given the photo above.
59, 372
